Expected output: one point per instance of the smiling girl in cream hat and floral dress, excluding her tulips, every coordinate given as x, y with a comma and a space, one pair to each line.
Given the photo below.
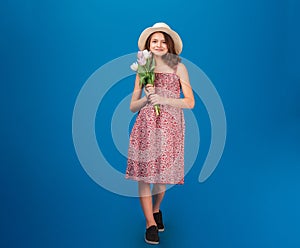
156, 146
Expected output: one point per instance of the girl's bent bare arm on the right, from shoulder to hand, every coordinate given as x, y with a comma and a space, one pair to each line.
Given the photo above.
187, 102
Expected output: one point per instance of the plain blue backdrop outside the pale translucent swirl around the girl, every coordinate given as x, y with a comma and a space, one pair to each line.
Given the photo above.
250, 51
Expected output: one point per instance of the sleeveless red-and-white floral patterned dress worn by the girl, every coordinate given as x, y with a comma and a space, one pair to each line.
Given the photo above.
156, 144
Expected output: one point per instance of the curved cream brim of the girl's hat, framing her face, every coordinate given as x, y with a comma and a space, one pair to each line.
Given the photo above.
148, 31
